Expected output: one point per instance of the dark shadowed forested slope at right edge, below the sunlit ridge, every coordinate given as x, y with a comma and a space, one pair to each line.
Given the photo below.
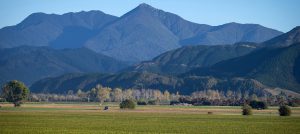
274, 67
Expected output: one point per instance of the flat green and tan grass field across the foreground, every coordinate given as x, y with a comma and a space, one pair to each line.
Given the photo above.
89, 118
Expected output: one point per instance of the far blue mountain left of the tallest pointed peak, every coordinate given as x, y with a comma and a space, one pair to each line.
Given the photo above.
39, 29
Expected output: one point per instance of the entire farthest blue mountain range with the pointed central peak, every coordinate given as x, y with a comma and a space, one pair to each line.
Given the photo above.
141, 34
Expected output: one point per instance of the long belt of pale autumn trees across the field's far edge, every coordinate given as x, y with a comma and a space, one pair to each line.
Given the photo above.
152, 96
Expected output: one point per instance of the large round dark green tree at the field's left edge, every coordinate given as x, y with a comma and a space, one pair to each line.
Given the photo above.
15, 92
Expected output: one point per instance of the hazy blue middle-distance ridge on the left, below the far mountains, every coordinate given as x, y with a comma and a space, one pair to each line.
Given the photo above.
41, 62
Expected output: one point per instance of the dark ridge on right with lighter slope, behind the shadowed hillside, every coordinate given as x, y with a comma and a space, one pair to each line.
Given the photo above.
183, 59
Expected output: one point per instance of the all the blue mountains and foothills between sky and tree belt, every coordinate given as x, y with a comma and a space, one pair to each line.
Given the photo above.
55, 53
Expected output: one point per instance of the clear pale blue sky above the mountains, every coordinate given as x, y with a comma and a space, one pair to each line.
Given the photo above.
282, 15
